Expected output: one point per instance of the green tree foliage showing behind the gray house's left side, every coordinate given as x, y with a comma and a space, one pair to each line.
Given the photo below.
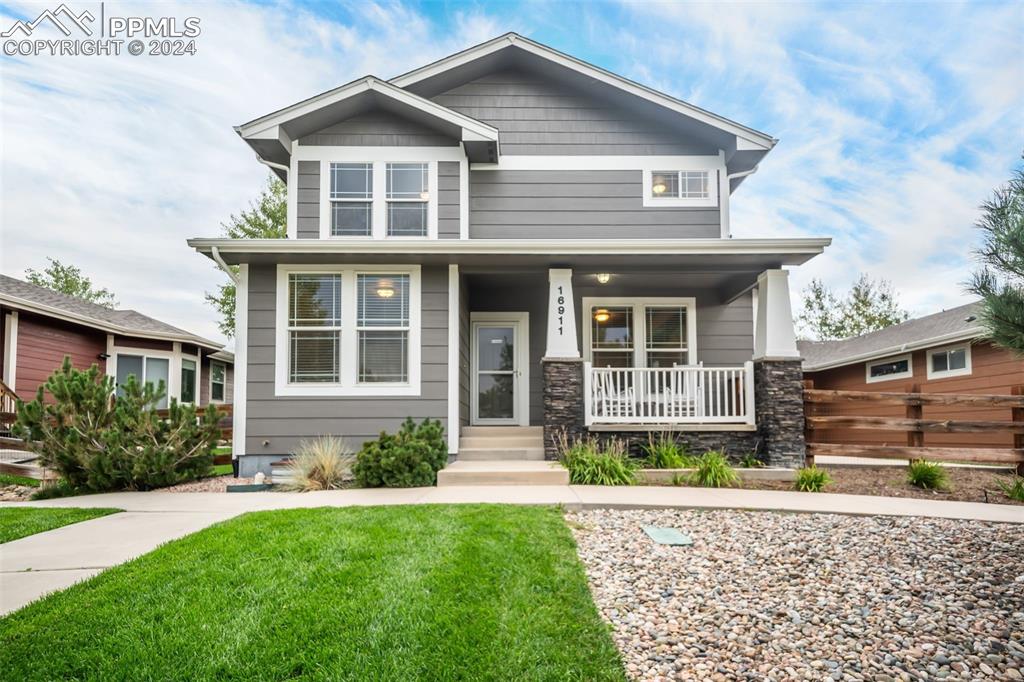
267, 219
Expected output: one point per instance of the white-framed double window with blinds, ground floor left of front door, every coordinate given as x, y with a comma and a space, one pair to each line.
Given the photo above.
349, 330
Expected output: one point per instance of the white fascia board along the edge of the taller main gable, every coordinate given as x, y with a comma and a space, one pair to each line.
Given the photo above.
758, 140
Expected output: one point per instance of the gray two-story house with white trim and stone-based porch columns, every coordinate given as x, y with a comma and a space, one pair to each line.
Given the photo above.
511, 238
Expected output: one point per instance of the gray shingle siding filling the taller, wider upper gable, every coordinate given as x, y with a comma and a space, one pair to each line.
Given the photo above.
538, 116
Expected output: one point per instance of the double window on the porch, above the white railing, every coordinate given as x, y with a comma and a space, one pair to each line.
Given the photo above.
652, 333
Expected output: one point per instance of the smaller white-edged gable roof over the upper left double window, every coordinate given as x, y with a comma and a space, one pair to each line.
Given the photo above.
272, 136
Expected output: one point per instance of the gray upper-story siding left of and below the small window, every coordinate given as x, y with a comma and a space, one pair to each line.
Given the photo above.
561, 204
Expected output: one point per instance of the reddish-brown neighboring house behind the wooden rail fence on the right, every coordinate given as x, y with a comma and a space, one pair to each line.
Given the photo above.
945, 353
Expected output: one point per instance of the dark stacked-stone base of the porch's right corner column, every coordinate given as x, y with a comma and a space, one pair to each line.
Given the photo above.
779, 396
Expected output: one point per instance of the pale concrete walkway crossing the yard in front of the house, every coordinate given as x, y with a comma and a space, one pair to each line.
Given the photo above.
35, 566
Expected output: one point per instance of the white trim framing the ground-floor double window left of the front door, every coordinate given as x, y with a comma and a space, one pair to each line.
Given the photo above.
348, 386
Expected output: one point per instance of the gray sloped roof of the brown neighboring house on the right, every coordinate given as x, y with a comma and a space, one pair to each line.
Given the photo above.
958, 324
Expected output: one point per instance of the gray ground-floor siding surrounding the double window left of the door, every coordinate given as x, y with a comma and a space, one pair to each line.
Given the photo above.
284, 421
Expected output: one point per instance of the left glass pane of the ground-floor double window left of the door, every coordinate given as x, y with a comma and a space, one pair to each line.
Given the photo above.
315, 328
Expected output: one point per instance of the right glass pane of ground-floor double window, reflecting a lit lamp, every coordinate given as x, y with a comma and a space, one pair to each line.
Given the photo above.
382, 328
